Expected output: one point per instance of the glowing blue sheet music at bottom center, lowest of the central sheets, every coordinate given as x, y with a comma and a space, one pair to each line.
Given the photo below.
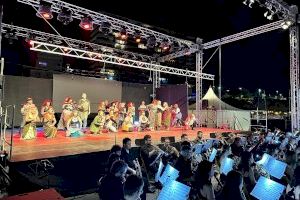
174, 191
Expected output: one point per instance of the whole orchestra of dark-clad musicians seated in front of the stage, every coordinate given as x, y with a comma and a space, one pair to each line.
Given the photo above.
131, 177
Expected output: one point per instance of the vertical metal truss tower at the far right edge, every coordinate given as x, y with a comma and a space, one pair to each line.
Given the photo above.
294, 77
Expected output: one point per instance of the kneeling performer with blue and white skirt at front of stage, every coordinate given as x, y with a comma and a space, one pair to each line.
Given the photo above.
74, 125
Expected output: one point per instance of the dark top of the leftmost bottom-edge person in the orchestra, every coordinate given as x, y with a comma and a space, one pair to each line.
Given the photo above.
111, 188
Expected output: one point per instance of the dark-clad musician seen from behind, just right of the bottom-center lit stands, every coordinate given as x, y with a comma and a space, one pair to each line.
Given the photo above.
184, 164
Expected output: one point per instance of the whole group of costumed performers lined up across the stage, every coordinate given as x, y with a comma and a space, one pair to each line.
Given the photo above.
111, 117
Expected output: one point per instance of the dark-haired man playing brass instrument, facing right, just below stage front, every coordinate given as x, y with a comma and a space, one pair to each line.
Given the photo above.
149, 154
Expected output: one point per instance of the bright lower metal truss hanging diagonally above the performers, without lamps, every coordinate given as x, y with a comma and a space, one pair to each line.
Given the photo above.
101, 57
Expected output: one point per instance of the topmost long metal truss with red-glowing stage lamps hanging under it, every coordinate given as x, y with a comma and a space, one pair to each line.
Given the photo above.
116, 24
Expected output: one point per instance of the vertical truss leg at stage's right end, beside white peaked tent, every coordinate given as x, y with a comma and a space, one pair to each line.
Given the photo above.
199, 68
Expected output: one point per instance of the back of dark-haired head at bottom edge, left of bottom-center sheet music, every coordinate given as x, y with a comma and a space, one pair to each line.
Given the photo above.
133, 187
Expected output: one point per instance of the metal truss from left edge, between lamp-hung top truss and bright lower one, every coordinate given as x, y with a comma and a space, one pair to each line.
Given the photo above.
78, 44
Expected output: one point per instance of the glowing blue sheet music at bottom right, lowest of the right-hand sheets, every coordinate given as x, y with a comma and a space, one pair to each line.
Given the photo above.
266, 189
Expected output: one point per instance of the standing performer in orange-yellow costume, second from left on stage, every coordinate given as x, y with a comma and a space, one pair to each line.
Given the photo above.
48, 119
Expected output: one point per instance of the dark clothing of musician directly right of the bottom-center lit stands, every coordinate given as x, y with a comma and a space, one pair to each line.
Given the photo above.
184, 168
